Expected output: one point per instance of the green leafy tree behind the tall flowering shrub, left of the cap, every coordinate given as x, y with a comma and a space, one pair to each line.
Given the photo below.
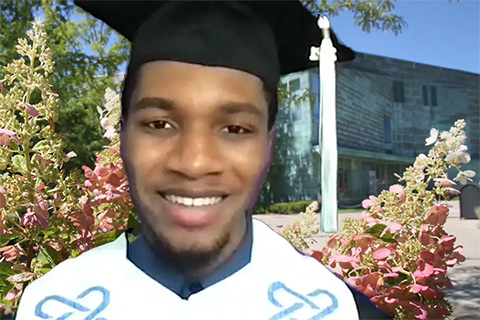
87, 56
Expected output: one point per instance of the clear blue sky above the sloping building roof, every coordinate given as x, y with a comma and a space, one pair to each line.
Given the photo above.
439, 32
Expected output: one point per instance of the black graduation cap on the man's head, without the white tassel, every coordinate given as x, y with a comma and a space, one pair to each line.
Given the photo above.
264, 38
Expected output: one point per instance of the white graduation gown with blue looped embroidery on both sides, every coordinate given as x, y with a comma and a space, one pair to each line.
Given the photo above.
277, 283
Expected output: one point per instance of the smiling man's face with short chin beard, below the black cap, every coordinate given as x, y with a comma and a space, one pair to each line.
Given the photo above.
195, 146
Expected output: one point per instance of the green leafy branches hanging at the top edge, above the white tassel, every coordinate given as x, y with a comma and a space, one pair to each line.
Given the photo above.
368, 14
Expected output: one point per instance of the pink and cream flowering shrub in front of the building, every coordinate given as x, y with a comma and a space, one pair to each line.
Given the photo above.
398, 253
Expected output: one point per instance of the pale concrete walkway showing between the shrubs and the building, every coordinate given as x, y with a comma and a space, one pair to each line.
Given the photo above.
465, 296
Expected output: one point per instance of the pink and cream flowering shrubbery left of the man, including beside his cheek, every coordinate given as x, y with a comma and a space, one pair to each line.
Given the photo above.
47, 216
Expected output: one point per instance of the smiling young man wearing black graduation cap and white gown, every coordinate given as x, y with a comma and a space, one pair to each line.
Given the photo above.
198, 111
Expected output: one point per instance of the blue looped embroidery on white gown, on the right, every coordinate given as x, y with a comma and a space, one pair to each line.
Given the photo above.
302, 301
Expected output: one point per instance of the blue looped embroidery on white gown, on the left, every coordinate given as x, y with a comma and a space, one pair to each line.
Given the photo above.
75, 305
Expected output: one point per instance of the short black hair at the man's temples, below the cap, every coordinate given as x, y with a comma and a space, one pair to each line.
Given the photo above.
131, 80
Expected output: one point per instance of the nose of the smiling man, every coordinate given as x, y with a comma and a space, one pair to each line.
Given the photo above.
195, 156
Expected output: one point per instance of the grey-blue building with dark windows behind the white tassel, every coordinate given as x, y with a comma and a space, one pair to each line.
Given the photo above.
385, 110
